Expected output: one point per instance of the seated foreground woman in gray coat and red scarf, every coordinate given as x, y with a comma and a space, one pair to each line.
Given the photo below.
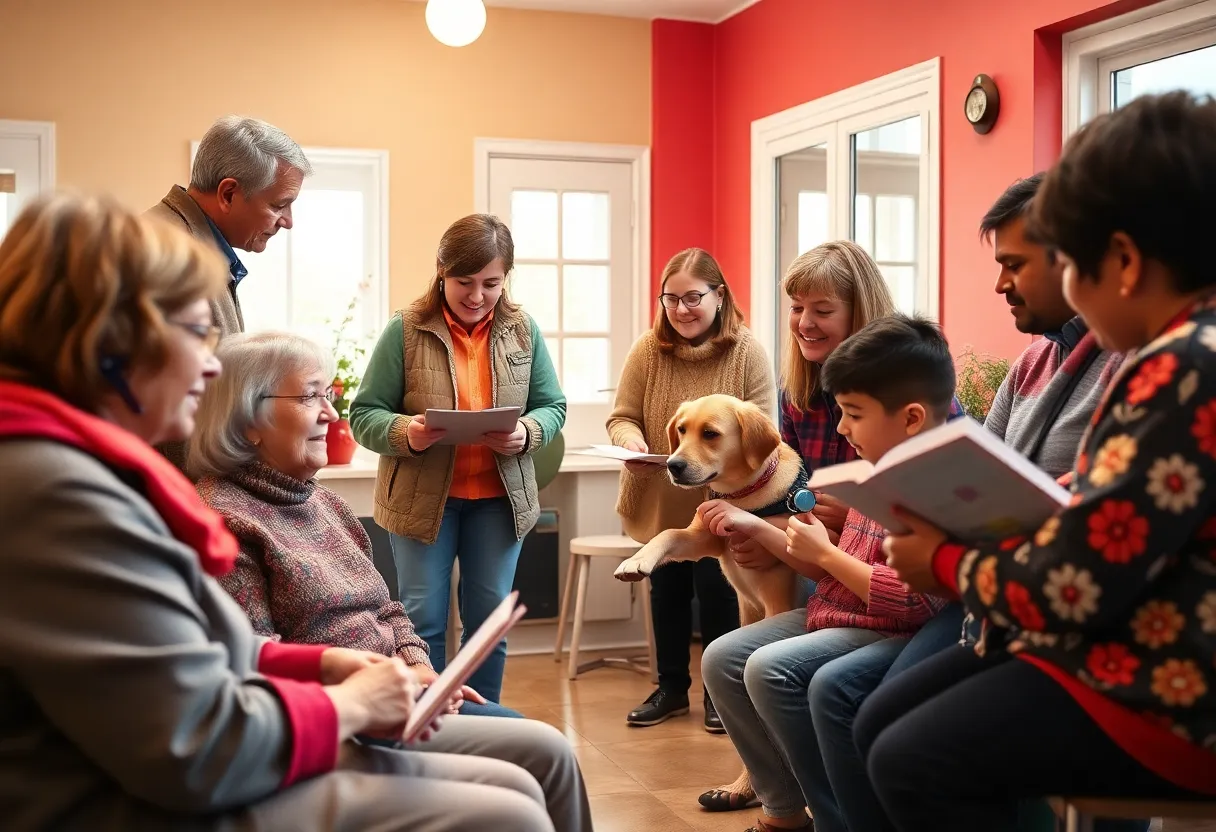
134, 694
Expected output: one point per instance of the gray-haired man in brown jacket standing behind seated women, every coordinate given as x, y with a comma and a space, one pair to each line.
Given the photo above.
245, 179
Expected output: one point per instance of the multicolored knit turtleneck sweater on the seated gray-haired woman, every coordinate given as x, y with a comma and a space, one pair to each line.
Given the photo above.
306, 572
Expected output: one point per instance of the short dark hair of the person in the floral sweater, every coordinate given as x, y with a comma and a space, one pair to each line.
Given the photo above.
1147, 170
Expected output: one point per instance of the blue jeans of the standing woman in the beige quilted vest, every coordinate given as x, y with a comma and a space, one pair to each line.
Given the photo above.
482, 536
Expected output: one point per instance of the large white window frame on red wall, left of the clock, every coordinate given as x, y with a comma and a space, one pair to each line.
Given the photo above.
913, 92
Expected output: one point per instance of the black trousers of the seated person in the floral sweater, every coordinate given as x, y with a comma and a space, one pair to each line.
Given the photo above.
958, 741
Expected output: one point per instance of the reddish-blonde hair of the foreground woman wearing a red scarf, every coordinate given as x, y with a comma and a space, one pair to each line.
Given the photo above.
85, 278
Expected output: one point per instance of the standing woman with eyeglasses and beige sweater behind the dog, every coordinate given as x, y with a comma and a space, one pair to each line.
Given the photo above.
697, 346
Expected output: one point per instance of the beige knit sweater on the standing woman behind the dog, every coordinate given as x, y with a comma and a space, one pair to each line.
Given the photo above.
651, 387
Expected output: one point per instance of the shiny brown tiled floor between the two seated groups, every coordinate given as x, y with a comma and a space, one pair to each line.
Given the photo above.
639, 779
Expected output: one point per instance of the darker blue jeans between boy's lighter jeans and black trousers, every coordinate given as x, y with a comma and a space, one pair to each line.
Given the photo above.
848, 801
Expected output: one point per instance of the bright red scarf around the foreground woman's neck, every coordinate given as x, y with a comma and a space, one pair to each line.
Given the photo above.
33, 414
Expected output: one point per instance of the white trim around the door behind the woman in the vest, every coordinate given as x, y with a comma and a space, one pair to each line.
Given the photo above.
639, 159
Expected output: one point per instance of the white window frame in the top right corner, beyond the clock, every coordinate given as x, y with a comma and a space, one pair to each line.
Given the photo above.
1093, 53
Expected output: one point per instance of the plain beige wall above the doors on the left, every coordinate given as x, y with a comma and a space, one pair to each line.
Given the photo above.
131, 83
